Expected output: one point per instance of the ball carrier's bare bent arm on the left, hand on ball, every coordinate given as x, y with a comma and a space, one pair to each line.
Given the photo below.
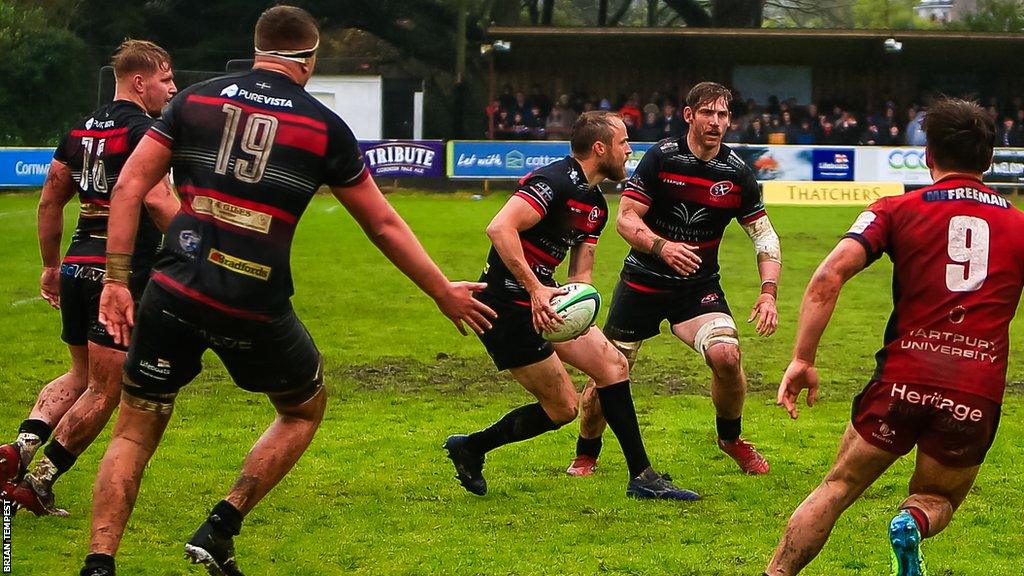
516, 217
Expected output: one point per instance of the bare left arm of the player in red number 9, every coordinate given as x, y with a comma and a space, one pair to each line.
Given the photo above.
816, 311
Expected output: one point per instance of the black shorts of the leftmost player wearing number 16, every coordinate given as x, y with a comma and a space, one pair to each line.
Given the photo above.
81, 285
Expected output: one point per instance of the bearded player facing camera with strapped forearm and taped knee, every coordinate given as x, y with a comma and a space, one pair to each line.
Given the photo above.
673, 214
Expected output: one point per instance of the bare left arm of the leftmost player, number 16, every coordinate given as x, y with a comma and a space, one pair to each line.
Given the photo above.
58, 191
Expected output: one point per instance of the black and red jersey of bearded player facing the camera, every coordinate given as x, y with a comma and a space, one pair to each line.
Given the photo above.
692, 201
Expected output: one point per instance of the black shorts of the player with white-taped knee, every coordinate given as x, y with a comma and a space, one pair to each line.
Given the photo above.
636, 312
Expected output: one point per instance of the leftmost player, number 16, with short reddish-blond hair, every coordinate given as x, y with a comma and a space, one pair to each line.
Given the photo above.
88, 163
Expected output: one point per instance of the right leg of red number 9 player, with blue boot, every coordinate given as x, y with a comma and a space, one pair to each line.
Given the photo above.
936, 492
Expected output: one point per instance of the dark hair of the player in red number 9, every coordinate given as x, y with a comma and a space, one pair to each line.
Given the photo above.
961, 136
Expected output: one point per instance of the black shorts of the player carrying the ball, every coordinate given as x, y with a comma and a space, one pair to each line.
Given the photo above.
513, 343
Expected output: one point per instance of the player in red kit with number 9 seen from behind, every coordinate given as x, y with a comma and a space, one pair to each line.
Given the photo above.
958, 252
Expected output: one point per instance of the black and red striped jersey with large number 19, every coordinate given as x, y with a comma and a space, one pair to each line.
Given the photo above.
249, 152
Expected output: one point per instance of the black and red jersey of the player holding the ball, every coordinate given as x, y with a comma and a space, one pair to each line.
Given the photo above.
572, 213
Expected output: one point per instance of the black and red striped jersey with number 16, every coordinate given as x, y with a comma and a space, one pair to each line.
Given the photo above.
96, 151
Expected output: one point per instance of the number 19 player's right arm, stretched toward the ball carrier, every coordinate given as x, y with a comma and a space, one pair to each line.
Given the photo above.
396, 240
